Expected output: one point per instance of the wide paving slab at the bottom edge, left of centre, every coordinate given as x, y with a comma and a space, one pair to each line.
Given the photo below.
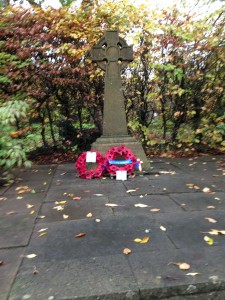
106, 277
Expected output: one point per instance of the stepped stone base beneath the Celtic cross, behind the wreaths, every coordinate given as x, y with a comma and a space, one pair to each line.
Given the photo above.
104, 143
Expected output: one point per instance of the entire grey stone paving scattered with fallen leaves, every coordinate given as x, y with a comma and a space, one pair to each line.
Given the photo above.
47, 206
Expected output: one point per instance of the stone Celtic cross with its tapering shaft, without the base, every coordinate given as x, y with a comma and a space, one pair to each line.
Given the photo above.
112, 54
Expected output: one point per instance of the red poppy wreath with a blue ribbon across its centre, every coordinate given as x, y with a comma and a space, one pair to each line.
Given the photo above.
130, 160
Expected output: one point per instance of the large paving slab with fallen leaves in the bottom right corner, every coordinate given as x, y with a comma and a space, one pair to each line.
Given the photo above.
159, 278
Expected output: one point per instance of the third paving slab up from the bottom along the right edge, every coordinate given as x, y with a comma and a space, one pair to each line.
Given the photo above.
200, 201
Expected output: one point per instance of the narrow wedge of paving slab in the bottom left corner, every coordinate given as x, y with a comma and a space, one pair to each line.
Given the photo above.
11, 259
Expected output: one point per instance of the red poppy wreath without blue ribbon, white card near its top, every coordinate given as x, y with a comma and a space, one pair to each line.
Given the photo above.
89, 174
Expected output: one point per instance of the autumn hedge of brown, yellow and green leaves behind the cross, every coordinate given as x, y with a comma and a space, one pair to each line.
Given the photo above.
52, 94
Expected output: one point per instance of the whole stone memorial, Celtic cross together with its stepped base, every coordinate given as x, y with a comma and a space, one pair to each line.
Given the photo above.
112, 54
